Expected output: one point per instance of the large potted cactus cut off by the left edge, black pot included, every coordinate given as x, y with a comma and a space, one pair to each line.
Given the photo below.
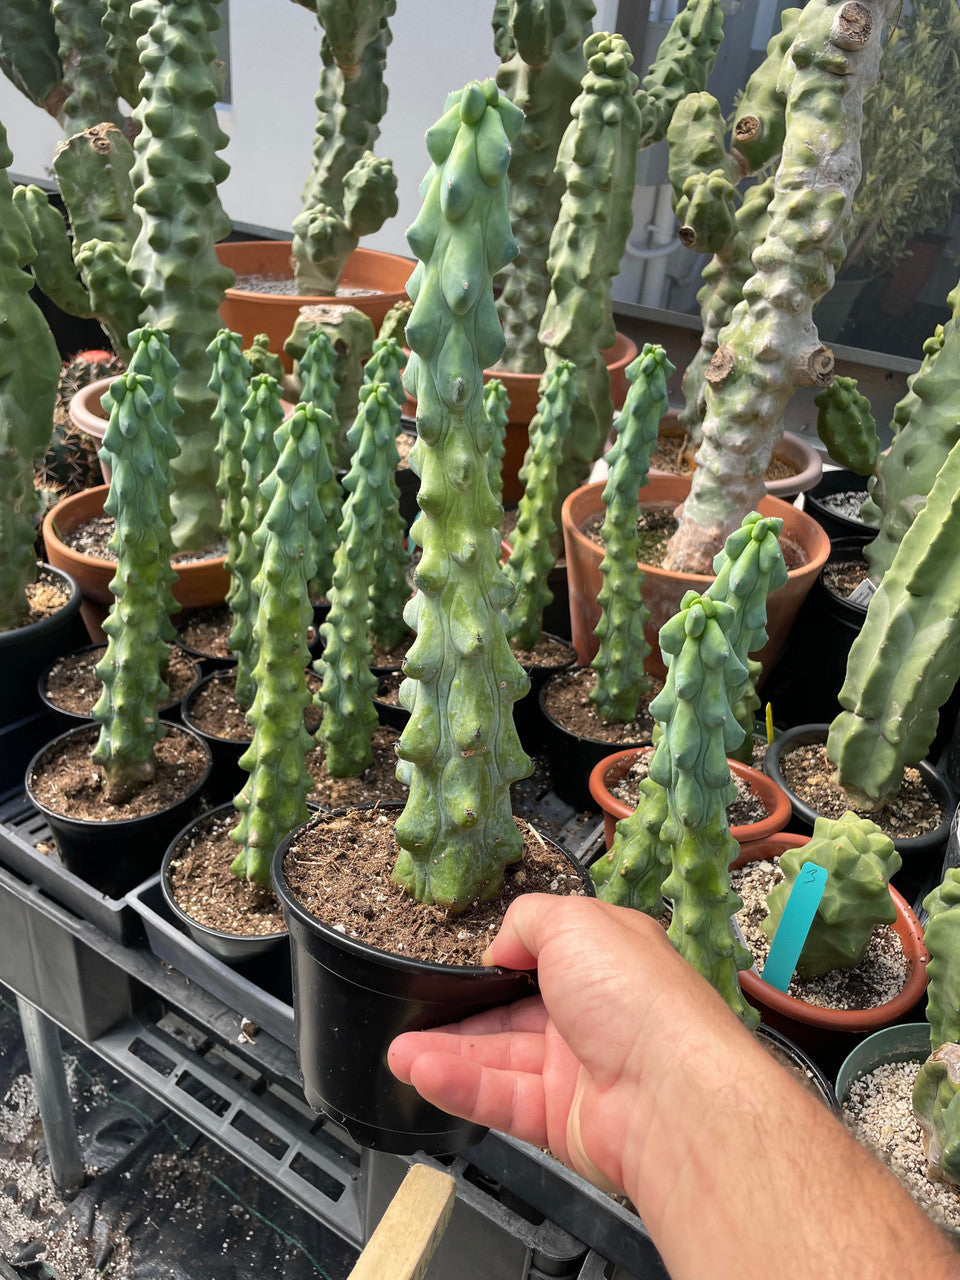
30, 367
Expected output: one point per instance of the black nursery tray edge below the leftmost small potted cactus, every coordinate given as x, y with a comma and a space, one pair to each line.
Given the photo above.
22, 829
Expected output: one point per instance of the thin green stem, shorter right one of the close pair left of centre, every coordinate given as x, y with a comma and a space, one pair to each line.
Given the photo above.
263, 415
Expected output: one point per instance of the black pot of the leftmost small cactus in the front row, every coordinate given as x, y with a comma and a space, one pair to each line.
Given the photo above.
115, 857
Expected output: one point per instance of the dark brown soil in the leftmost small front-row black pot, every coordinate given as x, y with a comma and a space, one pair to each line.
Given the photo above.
70, 784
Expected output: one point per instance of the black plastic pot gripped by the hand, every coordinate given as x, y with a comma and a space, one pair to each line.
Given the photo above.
351, 1000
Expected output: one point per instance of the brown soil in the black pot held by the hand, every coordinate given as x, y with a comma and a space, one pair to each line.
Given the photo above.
344, 877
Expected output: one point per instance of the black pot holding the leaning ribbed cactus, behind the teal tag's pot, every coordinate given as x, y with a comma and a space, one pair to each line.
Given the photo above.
922, 856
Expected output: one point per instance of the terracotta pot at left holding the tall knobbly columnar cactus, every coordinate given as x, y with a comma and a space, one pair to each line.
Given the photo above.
198, 584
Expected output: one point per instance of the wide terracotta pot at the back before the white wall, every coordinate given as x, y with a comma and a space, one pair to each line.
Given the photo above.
275, 314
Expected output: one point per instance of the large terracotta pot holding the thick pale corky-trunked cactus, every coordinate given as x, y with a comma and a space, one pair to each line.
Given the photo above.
664, 589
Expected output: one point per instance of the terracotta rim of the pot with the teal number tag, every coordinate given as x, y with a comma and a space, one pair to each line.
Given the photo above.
908, 930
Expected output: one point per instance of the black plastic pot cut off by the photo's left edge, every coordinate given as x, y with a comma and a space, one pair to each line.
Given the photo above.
25, 652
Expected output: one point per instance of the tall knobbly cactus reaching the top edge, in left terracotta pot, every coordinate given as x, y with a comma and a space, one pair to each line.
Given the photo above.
173, 260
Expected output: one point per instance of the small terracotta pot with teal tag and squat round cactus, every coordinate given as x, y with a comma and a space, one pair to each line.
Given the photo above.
830, 1032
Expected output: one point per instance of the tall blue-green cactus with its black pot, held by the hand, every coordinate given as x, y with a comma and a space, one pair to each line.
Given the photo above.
456, 843
